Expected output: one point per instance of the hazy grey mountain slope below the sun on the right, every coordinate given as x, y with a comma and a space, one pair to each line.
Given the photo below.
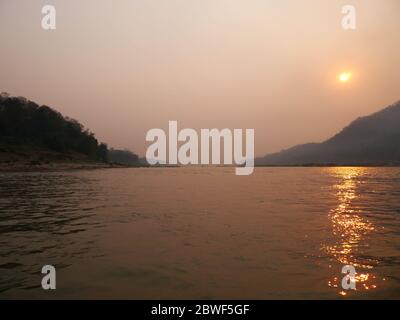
370, 140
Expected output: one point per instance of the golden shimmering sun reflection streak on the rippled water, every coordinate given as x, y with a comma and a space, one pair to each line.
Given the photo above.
349, 228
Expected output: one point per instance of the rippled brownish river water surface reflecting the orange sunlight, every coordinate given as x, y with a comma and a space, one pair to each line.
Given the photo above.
200, 233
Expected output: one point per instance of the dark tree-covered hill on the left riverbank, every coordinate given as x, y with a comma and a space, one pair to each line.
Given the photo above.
23, 122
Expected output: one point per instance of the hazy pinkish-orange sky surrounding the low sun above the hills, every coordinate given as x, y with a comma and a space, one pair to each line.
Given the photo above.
124, 67
